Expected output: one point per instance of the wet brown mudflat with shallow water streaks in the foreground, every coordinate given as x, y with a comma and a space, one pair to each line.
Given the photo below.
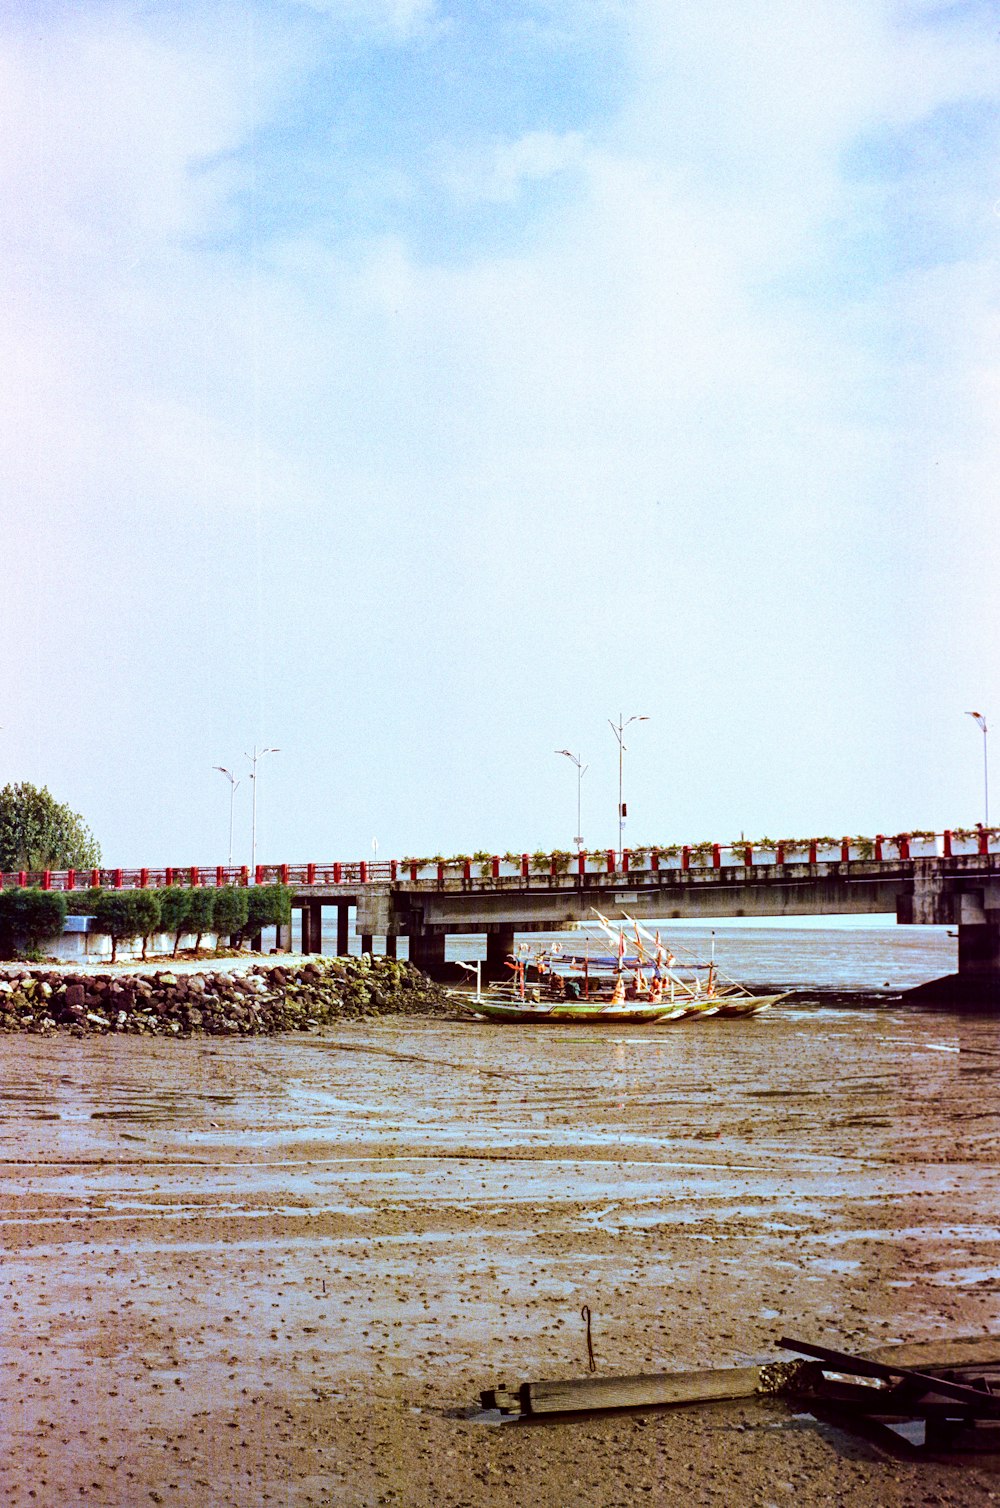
281, 1270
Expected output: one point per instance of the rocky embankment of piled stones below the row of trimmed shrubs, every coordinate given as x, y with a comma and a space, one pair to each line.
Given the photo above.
260, 1001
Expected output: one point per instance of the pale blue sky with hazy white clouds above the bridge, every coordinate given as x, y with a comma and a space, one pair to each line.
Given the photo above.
417, 385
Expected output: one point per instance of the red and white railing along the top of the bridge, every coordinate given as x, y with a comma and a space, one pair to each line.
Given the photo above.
951, 844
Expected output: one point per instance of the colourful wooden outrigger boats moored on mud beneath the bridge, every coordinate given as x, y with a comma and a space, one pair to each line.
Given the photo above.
643, 981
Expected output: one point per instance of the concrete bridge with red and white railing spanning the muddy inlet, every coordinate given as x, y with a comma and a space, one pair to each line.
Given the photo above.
934, 878
